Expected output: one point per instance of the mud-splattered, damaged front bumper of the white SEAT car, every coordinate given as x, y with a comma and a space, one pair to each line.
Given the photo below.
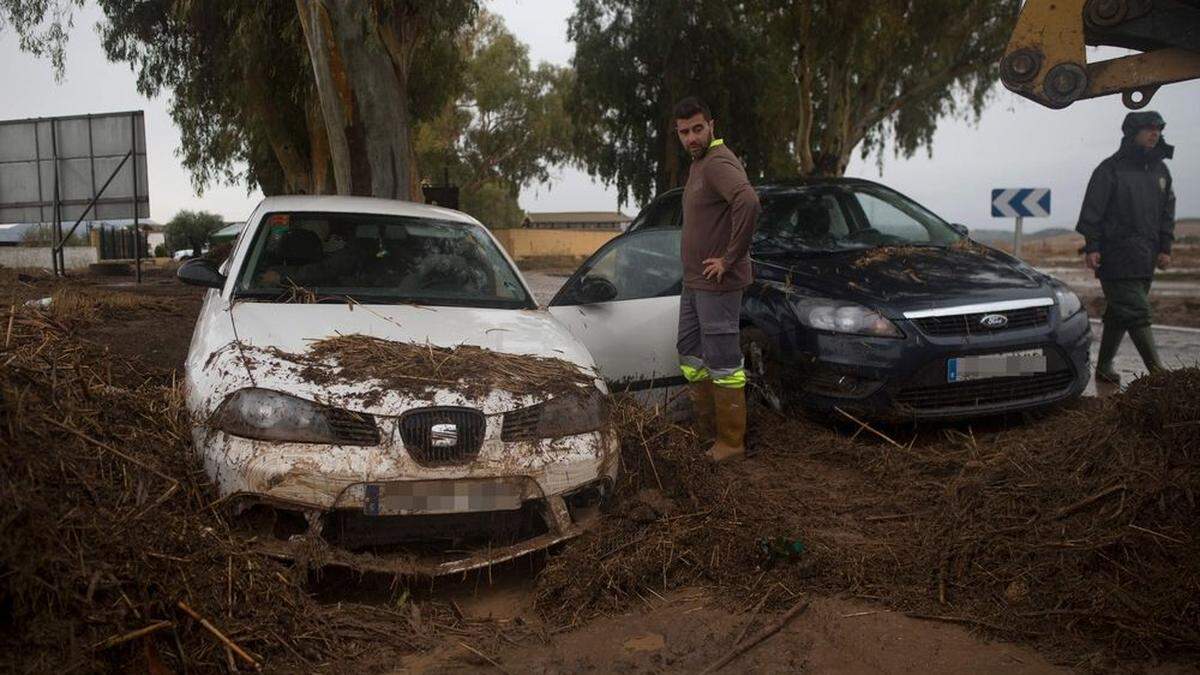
375, 510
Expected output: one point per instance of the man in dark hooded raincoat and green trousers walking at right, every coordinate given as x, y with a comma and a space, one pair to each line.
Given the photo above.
1129, 224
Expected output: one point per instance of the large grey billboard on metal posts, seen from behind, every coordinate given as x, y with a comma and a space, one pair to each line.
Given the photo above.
50, 169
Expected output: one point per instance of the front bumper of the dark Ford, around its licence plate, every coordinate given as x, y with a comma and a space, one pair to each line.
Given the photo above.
907, 379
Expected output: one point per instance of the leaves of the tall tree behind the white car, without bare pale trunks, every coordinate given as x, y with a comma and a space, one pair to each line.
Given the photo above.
241, 76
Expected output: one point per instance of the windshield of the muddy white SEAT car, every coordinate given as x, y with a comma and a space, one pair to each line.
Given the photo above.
376, 259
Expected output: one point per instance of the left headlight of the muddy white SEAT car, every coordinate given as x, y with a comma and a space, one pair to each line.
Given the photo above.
273, 416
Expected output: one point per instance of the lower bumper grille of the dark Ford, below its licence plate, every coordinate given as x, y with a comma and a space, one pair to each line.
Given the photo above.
986, 392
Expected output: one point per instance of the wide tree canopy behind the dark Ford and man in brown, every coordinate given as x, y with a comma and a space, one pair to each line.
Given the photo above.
795, 87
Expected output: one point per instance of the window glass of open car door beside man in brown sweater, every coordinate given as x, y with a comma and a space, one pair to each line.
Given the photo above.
639, 265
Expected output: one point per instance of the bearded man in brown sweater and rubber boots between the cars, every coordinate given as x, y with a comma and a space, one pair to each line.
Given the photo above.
719, 214
